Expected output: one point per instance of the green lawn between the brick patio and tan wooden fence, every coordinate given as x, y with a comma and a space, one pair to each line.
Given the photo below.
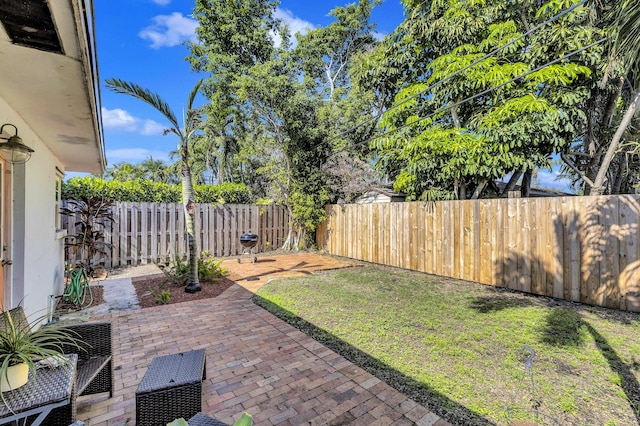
457, 347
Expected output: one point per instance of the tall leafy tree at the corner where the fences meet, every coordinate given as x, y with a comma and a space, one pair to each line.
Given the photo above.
279, 103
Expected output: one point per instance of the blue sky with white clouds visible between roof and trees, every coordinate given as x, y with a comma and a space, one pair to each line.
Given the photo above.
142, 41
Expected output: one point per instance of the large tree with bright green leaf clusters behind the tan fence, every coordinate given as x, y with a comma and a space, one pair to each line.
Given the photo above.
468, 111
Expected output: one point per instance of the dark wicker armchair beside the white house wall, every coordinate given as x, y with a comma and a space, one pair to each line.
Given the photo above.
95, 363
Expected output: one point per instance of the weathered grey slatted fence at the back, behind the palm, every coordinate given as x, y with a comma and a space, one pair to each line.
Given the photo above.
155, 232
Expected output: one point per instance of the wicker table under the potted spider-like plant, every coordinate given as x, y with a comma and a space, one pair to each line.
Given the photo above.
52, 389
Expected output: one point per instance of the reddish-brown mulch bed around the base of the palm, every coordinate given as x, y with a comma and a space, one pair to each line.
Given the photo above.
146, 287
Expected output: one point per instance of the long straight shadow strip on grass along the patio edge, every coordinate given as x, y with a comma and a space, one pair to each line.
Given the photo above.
419, 392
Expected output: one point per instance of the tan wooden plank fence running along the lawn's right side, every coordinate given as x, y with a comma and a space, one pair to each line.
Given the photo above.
584, 249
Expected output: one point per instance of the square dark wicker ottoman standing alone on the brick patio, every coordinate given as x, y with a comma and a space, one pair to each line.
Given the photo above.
171, 388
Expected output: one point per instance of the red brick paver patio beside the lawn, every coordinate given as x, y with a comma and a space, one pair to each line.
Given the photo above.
255, 363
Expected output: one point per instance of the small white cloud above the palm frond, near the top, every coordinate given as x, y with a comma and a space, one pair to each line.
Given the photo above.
169, 30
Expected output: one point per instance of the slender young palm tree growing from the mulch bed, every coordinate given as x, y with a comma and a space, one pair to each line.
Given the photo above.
186, 133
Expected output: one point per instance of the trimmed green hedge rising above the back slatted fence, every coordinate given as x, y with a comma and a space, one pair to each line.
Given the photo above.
149, 191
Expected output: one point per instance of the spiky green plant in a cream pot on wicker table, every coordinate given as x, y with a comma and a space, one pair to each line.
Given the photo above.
21, 348
